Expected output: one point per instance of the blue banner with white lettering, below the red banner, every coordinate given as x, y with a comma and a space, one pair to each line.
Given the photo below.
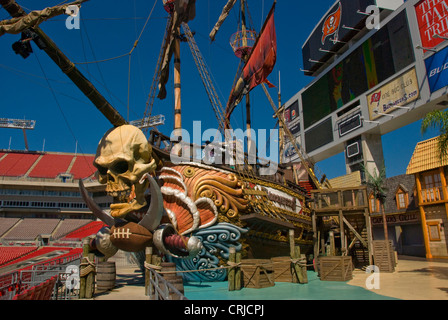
437, 70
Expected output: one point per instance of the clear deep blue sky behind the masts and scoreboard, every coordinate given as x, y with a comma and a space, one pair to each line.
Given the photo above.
36, 89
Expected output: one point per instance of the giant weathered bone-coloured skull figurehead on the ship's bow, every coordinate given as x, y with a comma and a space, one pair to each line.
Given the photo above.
123, 157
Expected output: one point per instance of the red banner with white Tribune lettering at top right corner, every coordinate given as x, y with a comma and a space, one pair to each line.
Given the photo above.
432, 19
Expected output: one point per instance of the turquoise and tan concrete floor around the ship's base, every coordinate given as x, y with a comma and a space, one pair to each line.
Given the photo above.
413, 279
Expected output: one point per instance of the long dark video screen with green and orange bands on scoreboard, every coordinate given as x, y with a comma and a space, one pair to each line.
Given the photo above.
390, 48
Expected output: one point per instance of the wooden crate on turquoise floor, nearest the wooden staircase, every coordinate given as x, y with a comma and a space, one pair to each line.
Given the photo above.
337, 268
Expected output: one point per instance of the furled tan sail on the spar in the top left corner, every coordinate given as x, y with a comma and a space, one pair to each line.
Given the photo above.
34, 18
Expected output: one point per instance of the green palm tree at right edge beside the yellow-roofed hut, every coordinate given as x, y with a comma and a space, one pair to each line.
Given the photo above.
438, 119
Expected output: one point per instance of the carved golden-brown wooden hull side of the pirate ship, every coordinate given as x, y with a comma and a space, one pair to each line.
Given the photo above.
265, 209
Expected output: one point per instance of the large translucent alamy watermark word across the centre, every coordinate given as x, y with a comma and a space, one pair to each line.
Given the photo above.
212, 147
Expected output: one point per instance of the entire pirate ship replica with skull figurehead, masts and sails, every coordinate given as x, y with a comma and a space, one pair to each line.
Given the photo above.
189, 205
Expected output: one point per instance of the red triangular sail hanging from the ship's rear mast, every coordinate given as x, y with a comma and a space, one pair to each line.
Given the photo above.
259, 66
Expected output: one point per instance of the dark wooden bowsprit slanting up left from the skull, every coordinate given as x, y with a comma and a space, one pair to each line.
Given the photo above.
114, 117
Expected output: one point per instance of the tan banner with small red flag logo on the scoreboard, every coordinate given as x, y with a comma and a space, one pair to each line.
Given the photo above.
398, 92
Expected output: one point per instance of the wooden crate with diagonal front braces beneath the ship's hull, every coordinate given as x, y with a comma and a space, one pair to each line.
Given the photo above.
257, 273
